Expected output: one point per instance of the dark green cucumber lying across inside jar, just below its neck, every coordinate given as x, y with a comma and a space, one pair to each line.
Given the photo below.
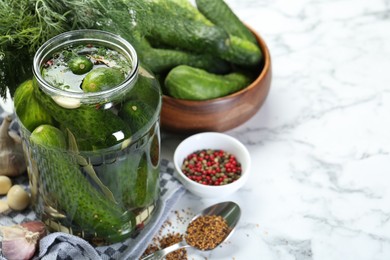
92, 127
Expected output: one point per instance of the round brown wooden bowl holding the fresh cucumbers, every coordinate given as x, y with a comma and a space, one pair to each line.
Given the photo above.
220, 114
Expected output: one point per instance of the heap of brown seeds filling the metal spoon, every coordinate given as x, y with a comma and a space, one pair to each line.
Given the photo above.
207, 232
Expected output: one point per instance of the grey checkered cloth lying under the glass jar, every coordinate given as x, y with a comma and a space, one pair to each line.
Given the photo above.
64, 246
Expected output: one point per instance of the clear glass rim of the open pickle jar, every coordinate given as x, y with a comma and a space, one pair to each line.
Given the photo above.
105, 38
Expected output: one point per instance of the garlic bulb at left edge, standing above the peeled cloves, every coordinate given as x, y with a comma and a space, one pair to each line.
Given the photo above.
12, 162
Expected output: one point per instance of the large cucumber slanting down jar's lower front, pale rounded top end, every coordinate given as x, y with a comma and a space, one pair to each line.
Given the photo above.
71, 191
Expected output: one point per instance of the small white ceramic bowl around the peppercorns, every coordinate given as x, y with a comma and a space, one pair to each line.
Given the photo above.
215, 141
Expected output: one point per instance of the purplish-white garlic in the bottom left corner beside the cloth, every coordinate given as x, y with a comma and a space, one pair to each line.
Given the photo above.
20, 241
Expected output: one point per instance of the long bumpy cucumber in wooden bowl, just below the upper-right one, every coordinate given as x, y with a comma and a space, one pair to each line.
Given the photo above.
176, 29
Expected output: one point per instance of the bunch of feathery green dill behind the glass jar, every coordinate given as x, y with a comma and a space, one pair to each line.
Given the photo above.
26, 24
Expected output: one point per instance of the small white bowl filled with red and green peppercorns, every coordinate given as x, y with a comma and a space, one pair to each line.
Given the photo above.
212, 164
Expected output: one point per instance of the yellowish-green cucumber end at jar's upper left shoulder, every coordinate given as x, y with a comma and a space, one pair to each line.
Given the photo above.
30, 113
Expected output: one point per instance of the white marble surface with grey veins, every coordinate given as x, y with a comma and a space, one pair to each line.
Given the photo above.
320, 184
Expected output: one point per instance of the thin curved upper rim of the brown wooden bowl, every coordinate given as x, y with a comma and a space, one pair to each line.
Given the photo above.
264, 71
